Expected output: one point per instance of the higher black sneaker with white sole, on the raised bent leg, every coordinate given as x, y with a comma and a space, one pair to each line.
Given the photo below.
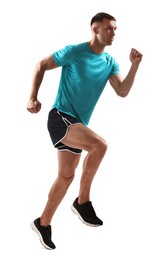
86, 213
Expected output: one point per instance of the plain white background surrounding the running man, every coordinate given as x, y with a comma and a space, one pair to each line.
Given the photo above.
130, 189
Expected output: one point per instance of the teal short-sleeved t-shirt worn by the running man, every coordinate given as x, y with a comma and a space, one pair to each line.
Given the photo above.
83, 78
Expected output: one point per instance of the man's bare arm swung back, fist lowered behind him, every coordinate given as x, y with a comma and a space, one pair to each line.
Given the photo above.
47, 63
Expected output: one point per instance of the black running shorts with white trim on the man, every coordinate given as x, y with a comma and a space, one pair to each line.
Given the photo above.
58, 124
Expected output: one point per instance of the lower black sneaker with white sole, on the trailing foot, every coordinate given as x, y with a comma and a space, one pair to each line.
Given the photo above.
44, 233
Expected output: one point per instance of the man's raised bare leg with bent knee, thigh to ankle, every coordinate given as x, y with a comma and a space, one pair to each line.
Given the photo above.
80, 136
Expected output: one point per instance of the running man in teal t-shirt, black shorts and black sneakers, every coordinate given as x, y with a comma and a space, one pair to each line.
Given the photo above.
86, 68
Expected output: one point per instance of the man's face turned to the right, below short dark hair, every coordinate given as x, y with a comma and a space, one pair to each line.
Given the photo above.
106, 31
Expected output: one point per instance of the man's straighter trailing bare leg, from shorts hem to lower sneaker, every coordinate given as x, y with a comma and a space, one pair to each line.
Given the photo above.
67, 163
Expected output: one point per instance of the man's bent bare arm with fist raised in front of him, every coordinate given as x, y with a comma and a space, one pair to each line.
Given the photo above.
123, 86
